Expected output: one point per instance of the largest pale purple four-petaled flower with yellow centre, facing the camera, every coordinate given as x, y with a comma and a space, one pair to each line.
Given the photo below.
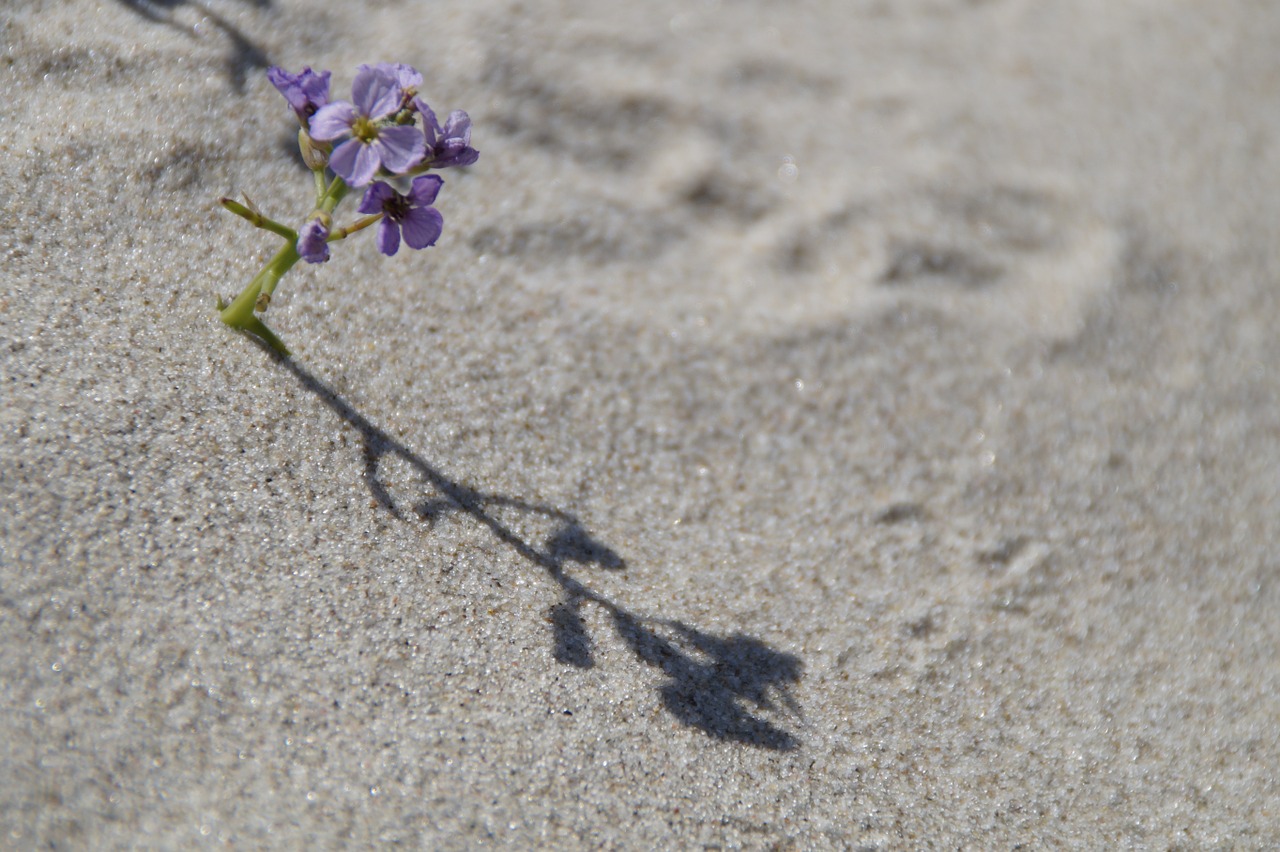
371, 144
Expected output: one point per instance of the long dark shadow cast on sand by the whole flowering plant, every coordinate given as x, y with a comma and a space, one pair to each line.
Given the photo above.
714, 684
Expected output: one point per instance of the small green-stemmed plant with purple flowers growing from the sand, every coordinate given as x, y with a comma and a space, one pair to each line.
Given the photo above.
385, 140
